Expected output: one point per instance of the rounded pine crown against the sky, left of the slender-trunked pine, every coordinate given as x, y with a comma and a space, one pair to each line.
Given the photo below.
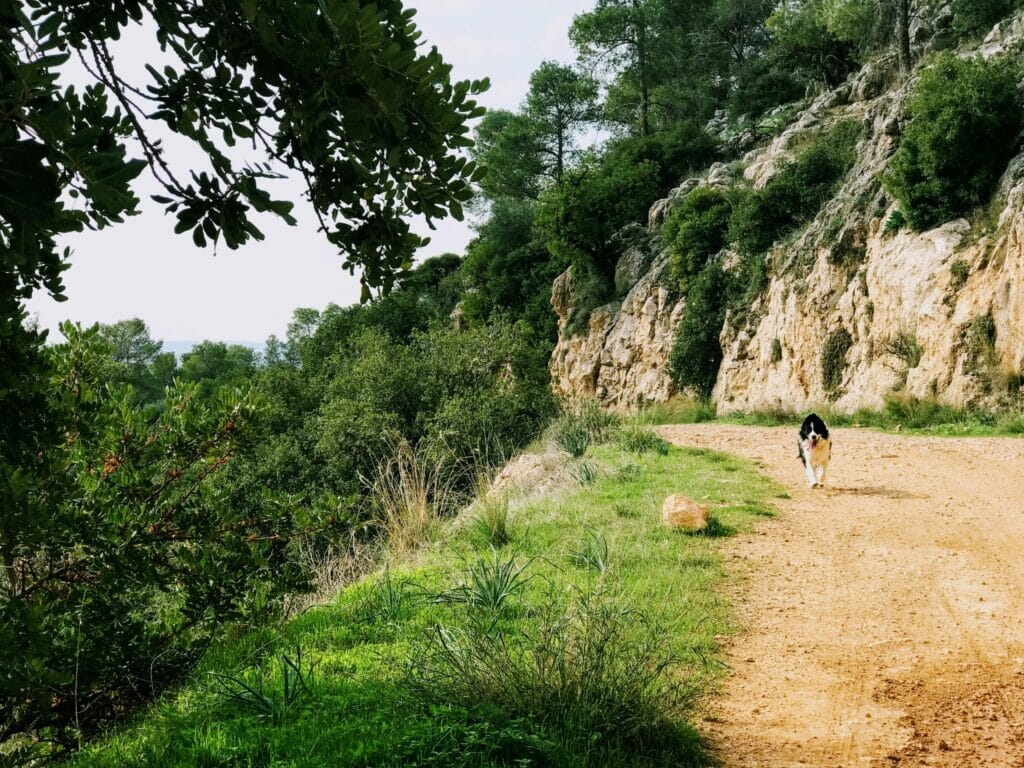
508, 147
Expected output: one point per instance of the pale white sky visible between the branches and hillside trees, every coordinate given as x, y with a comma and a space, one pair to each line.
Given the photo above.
141, 269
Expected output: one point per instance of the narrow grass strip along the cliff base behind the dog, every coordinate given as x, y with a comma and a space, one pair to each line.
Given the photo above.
909, 415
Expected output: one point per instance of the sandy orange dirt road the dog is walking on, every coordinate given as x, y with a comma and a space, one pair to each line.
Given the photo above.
884, 616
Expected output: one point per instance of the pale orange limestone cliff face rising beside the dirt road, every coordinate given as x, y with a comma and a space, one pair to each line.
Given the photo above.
940, 313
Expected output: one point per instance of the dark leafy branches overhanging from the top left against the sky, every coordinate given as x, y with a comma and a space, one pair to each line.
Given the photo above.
382, 147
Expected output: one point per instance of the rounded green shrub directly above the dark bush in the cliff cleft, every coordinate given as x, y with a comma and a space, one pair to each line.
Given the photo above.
695, 231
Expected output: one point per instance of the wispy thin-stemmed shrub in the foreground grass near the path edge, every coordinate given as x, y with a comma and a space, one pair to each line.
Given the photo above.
592, 675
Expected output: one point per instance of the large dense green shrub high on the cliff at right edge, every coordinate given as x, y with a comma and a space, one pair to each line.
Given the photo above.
965, 121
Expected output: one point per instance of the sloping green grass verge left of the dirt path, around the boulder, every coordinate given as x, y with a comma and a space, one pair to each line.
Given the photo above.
571, 631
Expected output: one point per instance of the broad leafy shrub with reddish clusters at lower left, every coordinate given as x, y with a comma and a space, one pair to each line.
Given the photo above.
140, 562
